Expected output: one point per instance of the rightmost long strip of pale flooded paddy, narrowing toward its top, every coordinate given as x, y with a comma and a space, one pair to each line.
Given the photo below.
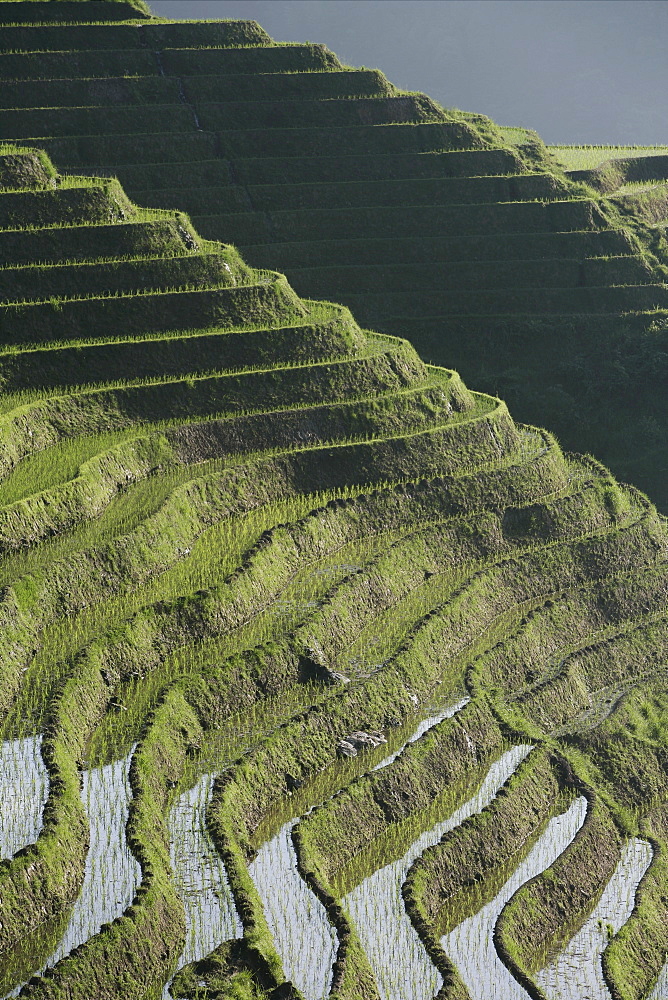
579, 965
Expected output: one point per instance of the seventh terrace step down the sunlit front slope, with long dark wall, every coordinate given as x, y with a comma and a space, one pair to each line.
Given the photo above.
104, 409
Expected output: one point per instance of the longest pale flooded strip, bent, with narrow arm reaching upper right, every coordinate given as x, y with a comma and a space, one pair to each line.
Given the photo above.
397, 955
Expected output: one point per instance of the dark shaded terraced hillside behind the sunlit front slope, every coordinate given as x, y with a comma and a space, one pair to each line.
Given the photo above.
430, 224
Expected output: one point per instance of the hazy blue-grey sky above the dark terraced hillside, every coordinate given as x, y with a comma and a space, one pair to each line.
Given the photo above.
578, 71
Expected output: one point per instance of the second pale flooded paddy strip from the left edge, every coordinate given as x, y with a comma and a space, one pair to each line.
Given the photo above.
112, 874
